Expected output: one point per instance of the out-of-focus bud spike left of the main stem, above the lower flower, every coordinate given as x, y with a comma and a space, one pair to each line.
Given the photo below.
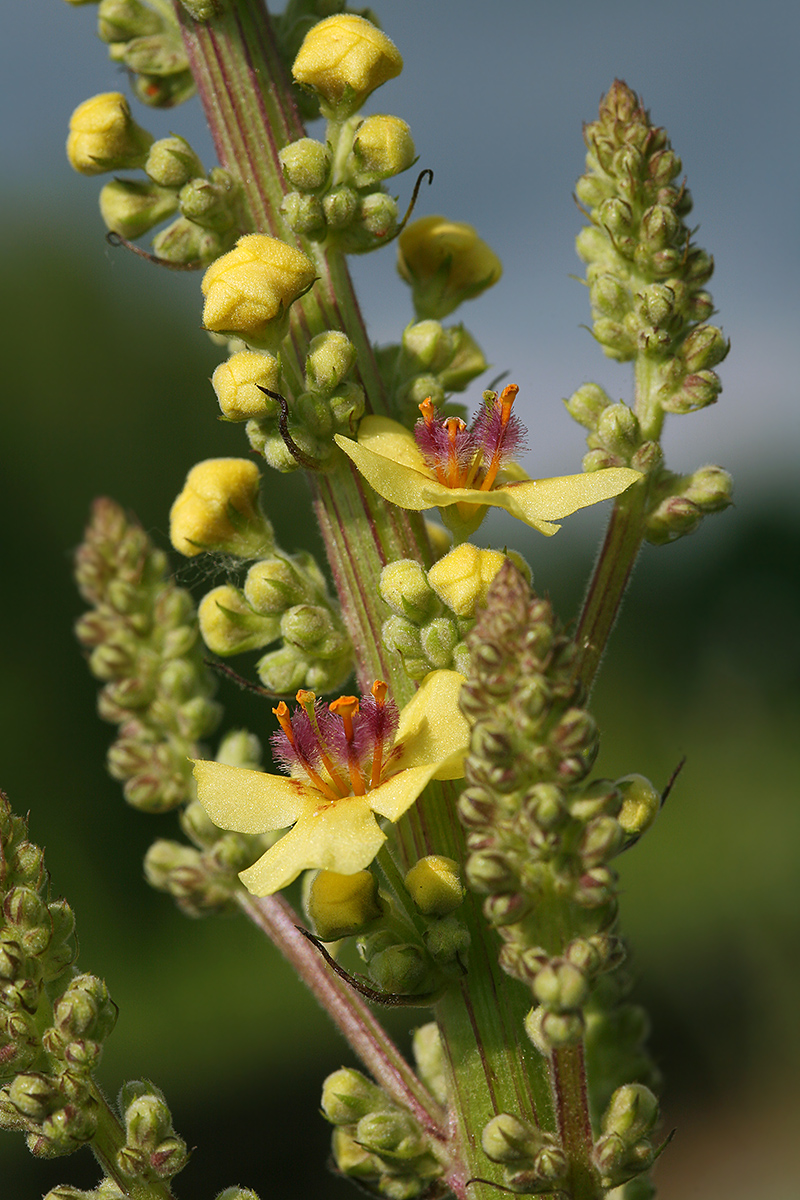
143, 643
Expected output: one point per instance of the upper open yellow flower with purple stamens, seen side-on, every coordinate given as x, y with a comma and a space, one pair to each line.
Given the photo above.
461, 471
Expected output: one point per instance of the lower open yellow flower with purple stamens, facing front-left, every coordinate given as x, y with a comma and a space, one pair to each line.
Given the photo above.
351, 763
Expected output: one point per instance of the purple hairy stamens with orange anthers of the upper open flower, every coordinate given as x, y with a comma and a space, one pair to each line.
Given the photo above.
464, 457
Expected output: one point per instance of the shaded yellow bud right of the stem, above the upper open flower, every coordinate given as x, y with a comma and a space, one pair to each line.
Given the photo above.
446, 263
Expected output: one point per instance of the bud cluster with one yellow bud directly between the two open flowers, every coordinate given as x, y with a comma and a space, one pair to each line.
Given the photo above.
435, 610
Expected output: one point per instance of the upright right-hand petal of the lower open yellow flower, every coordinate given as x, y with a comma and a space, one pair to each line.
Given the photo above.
432, 728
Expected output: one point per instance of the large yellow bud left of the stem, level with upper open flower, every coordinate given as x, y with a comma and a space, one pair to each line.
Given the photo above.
219, 511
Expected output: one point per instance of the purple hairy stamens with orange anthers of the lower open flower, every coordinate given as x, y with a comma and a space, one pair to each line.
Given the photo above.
341, 748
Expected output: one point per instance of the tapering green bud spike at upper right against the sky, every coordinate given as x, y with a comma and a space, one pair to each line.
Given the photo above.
646, 277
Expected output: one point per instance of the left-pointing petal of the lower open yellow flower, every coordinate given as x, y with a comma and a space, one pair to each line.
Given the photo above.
251, 801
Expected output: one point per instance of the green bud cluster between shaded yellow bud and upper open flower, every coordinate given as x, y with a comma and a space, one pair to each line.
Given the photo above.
430, 363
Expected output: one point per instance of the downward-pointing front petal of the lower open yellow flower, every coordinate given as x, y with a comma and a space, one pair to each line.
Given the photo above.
340, 837
